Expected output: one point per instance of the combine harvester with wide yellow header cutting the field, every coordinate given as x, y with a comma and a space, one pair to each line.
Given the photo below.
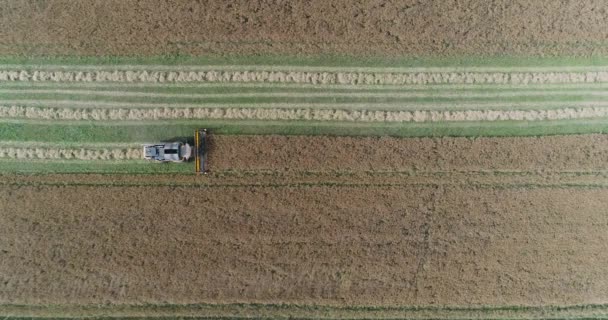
180, 151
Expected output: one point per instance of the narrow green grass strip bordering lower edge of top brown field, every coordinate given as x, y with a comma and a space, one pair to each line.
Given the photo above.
323, 60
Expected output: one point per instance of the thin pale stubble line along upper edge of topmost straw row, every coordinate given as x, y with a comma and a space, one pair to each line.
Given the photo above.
299, 68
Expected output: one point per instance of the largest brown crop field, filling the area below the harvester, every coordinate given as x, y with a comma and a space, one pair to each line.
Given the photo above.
406, 245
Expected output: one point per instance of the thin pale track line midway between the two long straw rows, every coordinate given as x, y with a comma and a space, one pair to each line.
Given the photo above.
437, 94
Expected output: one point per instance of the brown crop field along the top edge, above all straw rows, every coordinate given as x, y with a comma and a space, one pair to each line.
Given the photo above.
455, 27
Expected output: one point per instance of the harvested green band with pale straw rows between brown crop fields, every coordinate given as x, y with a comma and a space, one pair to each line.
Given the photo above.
131, 101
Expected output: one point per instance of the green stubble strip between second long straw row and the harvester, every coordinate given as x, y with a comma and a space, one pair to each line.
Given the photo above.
135, 132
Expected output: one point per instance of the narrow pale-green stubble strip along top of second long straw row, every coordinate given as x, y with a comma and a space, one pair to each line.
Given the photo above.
360, 106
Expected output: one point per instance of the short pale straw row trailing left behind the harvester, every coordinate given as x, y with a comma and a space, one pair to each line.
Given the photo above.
70, 153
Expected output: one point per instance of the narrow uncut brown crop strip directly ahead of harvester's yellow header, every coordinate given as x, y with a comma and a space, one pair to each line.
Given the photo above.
297, 153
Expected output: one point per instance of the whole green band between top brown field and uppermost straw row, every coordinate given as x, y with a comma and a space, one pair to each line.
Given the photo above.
341, 62
